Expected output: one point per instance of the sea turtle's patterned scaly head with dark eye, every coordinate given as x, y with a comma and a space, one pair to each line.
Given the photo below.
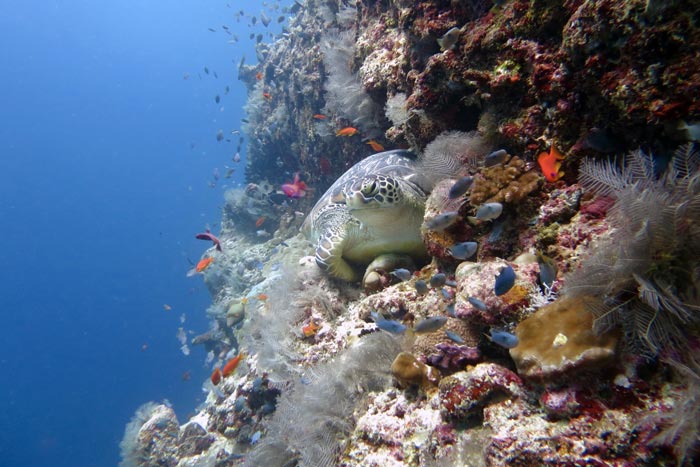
373, 192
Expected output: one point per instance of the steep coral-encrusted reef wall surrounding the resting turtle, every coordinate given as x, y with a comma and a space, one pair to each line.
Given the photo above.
316, 388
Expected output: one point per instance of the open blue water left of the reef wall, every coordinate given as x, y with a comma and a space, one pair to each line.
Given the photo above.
106, 155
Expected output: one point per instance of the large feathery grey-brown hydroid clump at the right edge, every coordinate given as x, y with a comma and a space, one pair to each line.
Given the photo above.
648, 272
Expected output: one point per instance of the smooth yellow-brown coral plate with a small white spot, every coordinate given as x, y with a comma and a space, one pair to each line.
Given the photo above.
559, 338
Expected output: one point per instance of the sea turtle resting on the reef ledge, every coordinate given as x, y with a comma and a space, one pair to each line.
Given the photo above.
375, 208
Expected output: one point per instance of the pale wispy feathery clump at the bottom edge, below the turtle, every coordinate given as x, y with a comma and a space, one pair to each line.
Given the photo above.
315, 414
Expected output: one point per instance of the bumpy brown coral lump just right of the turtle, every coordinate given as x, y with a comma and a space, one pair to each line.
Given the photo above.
507, 183
